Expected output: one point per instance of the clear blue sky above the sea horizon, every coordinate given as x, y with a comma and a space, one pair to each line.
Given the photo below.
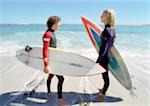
128, 12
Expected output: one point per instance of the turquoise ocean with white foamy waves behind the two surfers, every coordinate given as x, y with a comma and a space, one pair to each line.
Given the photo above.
133, 42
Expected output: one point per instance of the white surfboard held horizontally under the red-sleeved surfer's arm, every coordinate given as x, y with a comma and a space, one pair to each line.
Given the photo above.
61, 62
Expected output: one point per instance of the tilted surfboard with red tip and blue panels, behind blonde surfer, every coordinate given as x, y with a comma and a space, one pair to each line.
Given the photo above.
117, 65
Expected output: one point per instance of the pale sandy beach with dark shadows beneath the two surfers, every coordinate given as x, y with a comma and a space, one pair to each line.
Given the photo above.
14, 75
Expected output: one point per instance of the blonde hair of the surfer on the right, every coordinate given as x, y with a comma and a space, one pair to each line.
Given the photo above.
110, 17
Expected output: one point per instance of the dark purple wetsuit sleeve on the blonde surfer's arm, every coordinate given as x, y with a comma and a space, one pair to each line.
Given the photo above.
105, 47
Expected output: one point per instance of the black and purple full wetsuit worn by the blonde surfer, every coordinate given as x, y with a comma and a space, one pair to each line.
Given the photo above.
107, 39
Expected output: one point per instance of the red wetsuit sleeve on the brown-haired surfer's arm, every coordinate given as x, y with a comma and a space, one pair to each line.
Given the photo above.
46, 41
